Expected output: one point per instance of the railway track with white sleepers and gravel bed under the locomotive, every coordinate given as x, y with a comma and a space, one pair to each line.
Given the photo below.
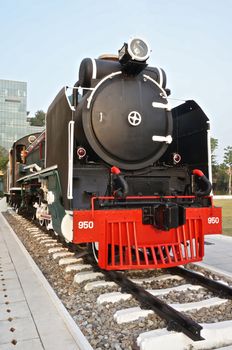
141, 308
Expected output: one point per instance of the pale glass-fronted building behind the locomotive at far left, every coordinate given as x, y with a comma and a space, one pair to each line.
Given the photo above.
13, 112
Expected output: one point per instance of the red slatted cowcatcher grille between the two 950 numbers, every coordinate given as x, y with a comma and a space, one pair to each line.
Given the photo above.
126, 252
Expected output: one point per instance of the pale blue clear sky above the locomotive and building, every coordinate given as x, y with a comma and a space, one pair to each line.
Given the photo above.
43, 42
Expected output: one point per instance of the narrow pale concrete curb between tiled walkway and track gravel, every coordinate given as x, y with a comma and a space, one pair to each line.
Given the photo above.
73, 328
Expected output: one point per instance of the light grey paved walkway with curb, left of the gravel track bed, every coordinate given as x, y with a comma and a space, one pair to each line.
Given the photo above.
30, 317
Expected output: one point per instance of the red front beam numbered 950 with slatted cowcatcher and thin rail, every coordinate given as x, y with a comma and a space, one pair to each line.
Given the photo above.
126, 243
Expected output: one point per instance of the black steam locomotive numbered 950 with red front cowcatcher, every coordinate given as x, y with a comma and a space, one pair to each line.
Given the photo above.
117, 170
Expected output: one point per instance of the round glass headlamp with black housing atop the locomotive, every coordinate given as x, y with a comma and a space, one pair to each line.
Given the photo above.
133, 56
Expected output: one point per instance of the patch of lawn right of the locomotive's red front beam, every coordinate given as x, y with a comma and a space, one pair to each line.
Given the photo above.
226, 205
